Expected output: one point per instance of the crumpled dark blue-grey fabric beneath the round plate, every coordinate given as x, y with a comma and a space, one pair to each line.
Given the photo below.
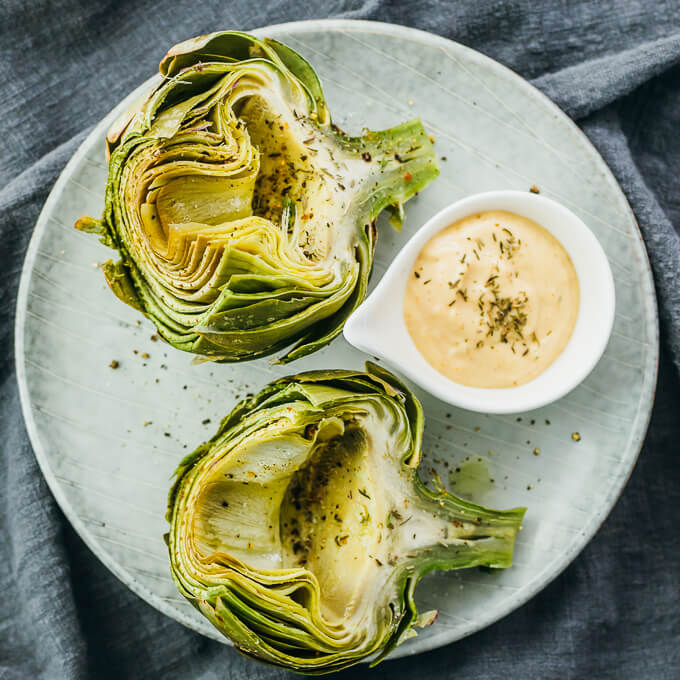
614, 67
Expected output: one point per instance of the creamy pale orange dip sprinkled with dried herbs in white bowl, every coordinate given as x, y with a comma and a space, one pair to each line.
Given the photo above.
492, 300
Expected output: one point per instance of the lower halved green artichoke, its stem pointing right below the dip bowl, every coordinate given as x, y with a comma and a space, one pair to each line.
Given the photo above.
301, 529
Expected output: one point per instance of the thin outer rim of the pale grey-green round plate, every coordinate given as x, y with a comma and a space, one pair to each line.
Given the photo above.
636, 439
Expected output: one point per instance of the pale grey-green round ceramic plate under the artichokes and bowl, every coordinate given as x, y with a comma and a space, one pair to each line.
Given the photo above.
108, 440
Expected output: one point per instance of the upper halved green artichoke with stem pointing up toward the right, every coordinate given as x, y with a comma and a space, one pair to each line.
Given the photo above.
245, 221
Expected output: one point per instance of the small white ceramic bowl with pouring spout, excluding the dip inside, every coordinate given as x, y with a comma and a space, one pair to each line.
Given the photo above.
377, 327
